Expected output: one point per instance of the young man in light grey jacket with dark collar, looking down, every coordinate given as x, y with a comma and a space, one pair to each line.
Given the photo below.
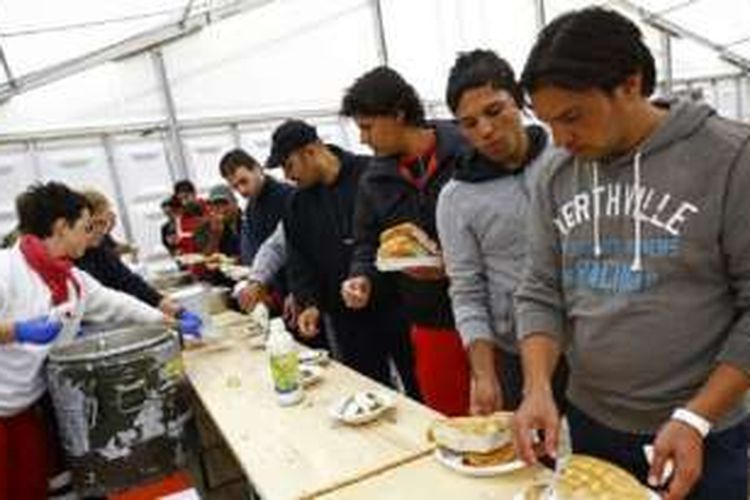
481, 216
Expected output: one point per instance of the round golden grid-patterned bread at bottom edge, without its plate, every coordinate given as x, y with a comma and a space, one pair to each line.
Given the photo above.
589, 478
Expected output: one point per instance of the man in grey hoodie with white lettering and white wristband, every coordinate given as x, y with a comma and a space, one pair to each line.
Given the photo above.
639, 266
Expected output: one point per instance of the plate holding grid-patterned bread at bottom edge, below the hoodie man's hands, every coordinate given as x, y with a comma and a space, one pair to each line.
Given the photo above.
583, 476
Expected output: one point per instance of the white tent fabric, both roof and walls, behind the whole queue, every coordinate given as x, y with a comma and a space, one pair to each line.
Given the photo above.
233, 81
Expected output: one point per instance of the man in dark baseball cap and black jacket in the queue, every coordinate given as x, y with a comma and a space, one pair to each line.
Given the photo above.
320, 242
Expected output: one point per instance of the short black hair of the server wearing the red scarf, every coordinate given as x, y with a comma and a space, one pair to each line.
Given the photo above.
41, 205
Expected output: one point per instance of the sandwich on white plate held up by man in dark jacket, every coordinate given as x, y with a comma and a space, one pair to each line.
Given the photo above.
406, 246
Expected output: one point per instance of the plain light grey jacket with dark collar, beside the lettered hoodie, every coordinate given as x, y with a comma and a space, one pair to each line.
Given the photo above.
481, 218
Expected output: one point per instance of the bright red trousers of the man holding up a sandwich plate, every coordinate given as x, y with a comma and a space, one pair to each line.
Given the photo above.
441, 369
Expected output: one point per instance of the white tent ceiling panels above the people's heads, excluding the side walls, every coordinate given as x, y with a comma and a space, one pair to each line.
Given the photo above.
285, 55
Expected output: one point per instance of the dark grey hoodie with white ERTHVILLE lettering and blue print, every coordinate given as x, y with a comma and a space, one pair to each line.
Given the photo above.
646, 258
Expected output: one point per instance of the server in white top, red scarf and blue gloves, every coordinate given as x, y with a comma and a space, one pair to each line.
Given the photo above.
43, 299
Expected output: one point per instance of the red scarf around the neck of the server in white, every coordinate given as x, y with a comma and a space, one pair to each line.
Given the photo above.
54, 271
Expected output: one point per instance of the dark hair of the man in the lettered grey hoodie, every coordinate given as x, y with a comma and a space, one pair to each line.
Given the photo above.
589, 48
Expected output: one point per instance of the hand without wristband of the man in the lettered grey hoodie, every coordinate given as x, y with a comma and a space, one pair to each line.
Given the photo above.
536, 413
